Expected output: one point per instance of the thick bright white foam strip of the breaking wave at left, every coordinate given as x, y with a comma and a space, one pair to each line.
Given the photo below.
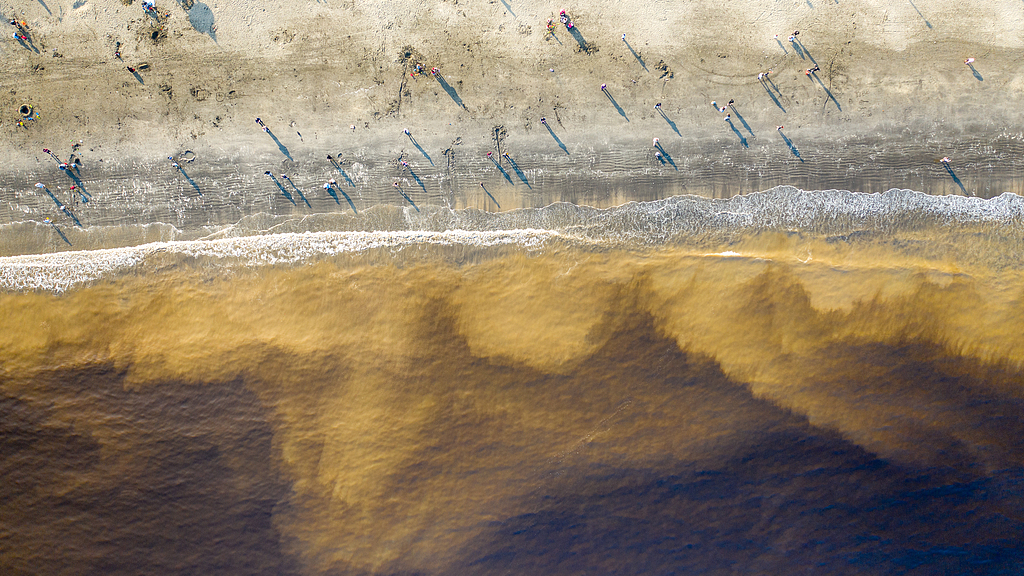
62, 271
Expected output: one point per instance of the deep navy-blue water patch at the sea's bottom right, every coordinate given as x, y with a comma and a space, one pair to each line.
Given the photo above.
760, 515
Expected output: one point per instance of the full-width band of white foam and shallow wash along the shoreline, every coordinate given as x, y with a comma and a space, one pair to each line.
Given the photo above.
638, 224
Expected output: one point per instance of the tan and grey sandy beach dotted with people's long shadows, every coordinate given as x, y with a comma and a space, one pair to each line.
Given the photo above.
892, 98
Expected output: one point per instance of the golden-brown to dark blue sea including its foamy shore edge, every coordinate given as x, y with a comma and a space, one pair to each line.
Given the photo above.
783, 383
